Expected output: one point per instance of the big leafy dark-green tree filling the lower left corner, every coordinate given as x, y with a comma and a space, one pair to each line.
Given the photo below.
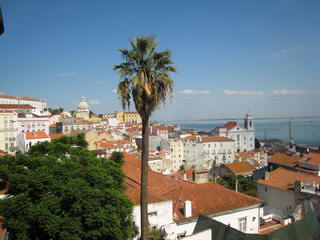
60, 190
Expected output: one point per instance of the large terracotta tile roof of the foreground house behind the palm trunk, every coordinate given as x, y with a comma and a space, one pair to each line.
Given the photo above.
207, 198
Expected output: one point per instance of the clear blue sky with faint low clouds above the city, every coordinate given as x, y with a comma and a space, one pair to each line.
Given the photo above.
232, 56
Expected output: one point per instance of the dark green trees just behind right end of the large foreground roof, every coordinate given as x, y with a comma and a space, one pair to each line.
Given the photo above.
245, 184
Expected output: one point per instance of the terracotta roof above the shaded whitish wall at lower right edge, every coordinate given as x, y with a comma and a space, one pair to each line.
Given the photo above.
284, 179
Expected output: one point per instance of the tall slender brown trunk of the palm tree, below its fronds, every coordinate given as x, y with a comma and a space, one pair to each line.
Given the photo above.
144, 179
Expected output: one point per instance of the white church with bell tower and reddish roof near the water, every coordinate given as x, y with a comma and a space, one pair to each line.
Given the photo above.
244, 136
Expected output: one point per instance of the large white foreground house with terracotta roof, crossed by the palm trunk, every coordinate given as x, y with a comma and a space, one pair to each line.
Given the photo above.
174, 205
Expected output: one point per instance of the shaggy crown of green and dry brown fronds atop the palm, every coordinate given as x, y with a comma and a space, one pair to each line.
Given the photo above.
145, 75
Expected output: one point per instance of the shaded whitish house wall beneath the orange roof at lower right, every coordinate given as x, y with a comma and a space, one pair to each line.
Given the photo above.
276, 198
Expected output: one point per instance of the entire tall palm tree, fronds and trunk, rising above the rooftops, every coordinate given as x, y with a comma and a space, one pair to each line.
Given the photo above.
145, 79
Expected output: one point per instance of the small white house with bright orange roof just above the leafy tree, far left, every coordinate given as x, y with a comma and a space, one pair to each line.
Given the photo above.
27, 139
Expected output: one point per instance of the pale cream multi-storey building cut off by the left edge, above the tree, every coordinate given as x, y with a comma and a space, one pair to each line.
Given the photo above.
8, 130
